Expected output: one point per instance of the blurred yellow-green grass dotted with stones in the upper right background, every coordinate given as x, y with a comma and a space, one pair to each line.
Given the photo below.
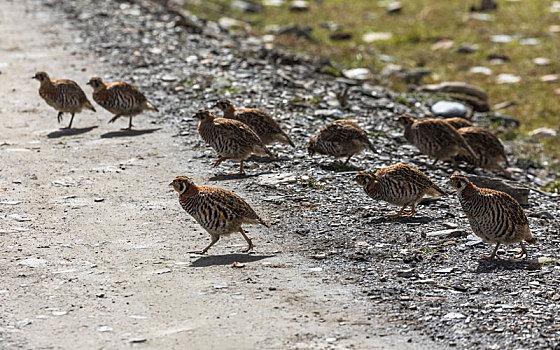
421, 24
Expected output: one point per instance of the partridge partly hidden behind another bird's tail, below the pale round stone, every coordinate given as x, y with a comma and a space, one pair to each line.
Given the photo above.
488, 148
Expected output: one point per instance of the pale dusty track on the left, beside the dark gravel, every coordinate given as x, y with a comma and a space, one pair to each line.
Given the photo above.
93, 242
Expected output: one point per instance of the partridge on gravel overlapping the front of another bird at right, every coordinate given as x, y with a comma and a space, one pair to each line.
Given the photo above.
436, 138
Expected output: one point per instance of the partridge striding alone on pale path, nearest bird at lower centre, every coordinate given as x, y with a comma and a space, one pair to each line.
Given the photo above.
218, 211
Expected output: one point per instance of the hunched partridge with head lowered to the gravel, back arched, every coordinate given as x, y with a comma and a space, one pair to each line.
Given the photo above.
341, 138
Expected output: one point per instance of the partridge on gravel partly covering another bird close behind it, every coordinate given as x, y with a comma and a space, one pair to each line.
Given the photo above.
231, 138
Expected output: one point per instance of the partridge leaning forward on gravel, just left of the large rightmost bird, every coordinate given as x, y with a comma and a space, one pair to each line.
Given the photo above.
398, 184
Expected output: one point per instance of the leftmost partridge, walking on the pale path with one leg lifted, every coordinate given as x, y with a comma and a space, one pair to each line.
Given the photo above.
63, 95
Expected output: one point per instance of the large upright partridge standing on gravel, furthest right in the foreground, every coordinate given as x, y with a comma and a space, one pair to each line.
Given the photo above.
494, 216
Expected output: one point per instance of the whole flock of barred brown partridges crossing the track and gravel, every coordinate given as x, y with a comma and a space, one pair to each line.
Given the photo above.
494, 216
